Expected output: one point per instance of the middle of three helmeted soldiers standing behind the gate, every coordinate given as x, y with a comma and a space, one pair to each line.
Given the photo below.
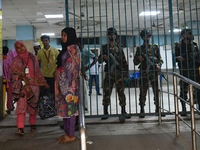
148, 71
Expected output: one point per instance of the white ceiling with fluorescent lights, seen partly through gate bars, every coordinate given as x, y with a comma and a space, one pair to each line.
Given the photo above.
98, 15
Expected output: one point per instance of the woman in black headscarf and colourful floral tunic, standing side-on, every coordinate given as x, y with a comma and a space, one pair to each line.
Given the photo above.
67, 83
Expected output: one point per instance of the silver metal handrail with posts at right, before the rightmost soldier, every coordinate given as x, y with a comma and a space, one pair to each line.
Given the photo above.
191, 85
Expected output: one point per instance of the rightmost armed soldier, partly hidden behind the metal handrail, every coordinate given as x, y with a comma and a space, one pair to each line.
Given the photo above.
187, 56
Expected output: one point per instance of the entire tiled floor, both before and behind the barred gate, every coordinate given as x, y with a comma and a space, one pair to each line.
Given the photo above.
134, 134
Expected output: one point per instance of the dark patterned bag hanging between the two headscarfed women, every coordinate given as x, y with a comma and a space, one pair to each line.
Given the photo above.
46, 104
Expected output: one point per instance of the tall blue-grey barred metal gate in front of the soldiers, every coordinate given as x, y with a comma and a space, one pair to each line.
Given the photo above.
163, 19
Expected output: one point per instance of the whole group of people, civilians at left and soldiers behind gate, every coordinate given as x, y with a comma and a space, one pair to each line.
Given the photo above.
62, 71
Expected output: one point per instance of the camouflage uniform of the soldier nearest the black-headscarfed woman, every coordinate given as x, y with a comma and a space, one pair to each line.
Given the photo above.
113, 73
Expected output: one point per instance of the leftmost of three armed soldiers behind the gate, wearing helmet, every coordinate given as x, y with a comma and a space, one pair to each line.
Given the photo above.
116, 70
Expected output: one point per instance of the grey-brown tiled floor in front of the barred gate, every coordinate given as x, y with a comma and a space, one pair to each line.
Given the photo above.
132, 135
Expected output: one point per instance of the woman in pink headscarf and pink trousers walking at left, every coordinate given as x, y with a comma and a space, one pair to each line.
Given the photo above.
26, 78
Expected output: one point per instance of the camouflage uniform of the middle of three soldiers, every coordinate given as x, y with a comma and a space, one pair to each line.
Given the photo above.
148, 72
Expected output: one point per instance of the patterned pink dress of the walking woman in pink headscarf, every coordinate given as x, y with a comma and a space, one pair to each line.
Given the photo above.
28, 103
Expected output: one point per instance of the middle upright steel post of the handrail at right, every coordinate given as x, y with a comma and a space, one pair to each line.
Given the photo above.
177, 125
